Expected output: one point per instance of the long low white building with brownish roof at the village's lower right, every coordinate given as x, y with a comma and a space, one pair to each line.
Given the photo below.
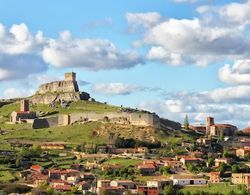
182, 180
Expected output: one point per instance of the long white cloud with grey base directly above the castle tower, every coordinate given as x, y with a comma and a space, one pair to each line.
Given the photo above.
92, 54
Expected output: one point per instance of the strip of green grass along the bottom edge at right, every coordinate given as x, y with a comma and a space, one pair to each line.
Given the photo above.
223, 188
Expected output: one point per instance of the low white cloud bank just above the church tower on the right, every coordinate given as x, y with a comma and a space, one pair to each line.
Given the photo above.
227, 105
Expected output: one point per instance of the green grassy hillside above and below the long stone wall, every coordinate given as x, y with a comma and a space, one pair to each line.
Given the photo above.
93, 132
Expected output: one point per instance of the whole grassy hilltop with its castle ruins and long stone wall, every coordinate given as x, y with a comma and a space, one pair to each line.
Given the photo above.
63, 115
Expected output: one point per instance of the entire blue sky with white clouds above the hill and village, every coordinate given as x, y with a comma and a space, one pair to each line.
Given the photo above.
172, 57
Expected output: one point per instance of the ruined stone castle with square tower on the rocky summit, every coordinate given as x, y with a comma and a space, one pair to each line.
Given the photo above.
58, 91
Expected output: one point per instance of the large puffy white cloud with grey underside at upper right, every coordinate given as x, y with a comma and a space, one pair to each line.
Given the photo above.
180, 42
